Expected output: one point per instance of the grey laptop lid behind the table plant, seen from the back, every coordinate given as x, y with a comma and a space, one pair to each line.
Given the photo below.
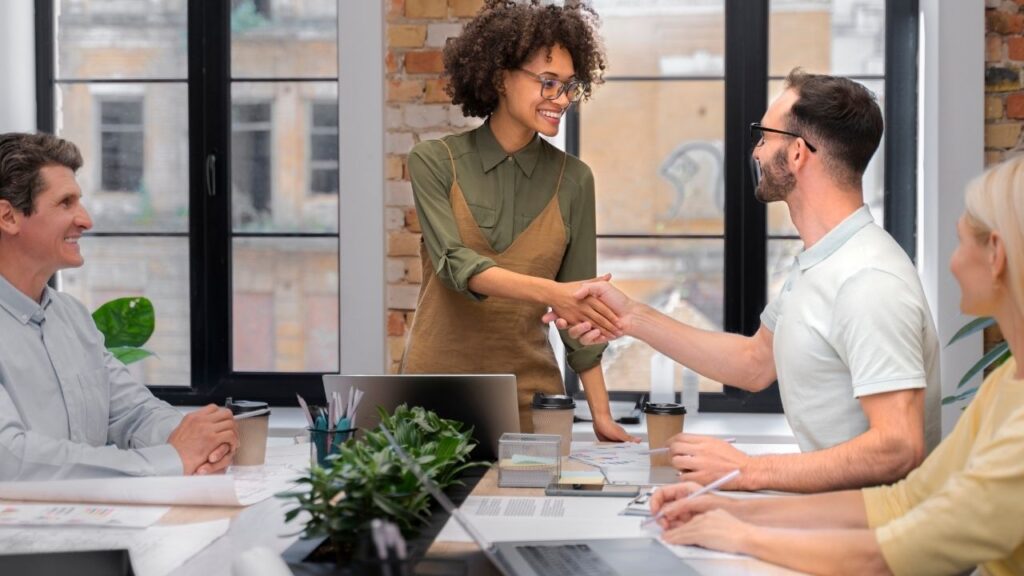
487, 402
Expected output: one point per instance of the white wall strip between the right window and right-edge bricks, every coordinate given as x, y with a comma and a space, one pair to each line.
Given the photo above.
952, 138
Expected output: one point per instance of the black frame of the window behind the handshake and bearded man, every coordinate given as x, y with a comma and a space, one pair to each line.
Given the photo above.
747, 78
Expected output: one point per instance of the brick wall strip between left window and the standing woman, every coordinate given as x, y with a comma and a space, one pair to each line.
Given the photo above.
417, 110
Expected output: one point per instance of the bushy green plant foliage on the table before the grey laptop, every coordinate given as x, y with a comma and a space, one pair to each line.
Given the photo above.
366, 480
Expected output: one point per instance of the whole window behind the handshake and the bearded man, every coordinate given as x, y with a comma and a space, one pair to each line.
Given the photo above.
678, 226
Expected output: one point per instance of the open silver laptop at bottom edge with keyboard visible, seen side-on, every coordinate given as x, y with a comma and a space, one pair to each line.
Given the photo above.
614, 557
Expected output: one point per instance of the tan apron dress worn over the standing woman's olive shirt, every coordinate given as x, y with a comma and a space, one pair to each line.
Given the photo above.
454, 335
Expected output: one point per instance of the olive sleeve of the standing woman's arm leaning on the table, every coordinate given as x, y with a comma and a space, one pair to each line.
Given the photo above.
580, 263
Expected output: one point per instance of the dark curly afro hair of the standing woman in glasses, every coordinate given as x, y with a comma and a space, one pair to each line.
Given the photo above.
505, 34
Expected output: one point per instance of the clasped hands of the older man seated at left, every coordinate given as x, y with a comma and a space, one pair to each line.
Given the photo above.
205, 440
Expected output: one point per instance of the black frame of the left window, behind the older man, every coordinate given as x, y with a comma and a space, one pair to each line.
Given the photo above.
210, 230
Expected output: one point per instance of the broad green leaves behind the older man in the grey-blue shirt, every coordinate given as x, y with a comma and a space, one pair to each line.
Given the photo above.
126, 324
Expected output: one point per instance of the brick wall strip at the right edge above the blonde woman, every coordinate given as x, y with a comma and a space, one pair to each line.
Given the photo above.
1004, 91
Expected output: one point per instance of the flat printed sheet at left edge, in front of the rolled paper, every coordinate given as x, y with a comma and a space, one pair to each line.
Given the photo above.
69, 515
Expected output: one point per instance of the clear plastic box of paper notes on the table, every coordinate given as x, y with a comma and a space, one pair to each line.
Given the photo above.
529, 461
